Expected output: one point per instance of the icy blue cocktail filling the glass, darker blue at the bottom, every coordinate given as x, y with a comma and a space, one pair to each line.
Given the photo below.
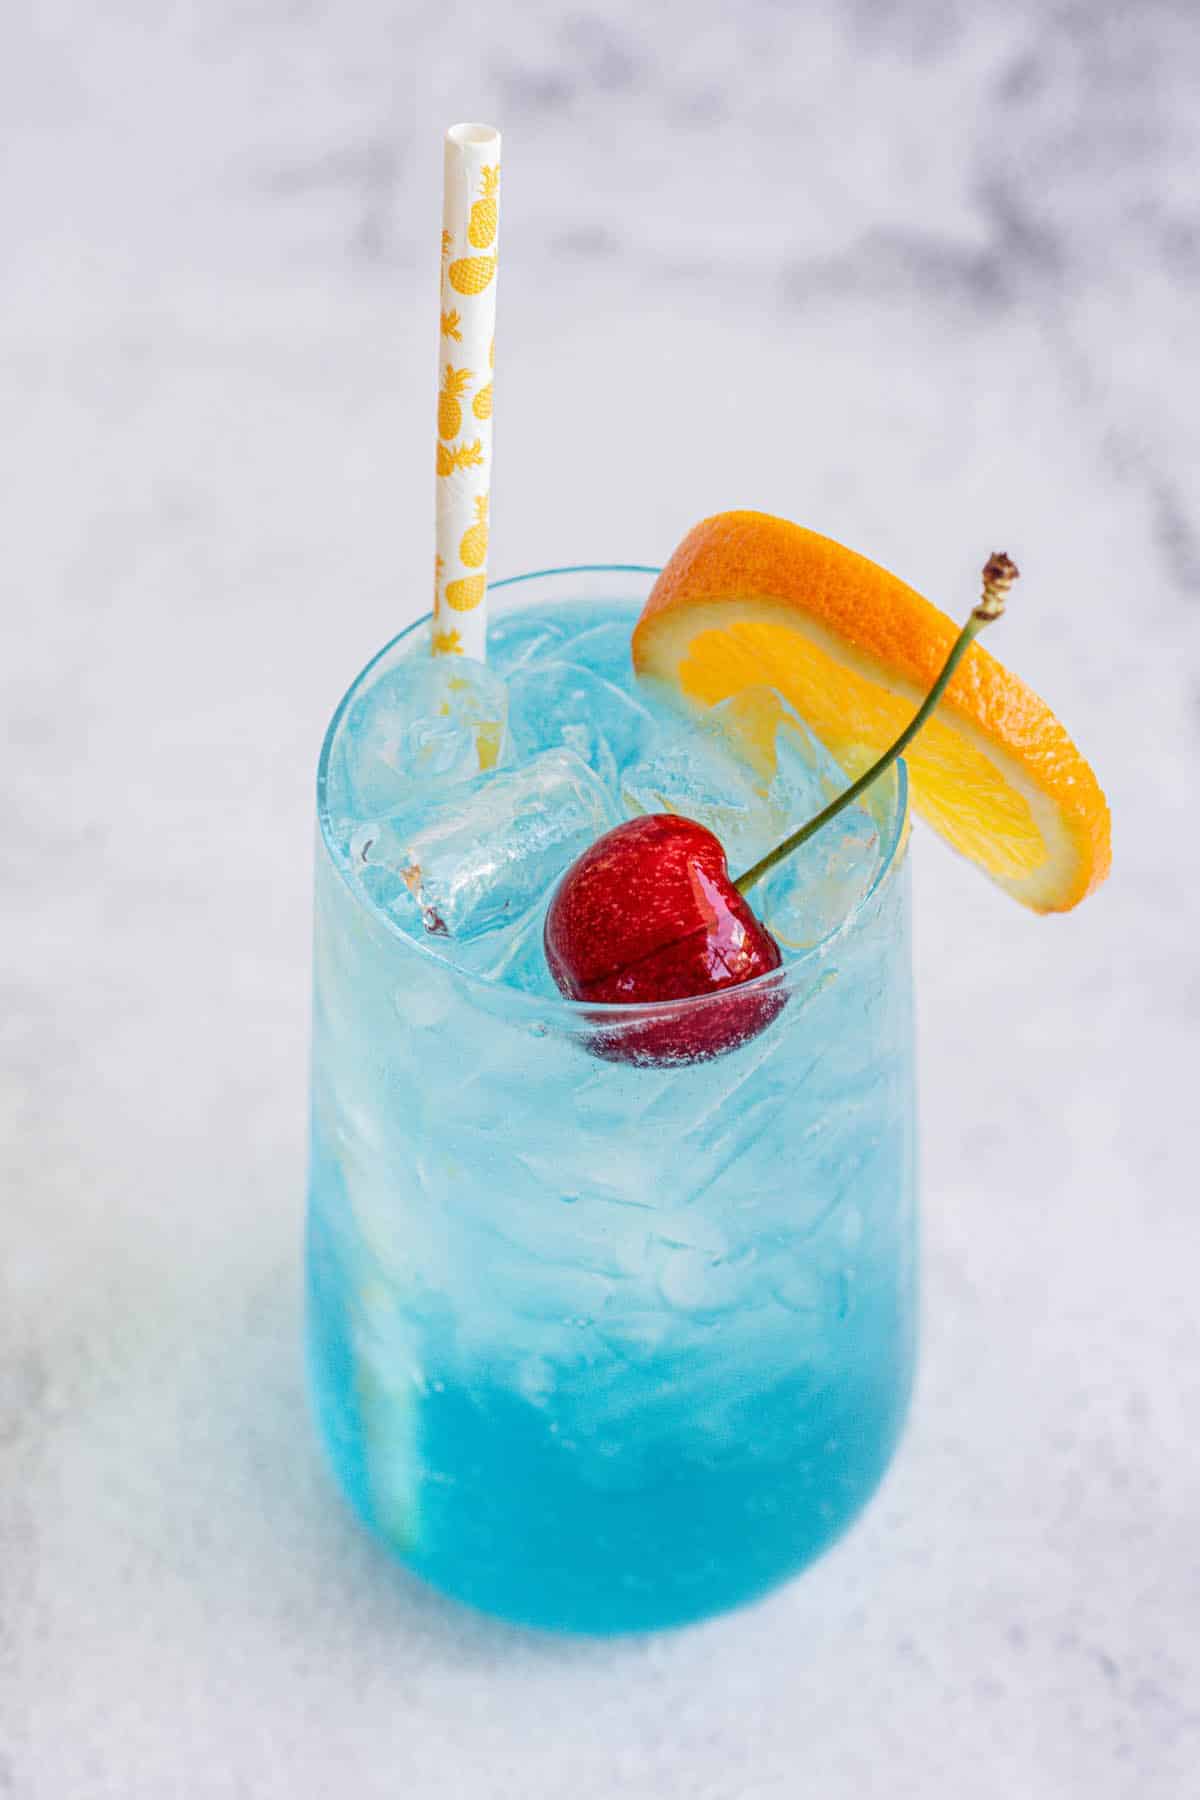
598, 1345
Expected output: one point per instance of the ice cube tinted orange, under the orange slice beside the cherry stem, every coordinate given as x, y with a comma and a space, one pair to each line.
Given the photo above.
749, 769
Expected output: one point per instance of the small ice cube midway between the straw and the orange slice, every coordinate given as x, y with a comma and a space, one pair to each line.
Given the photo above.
562, 703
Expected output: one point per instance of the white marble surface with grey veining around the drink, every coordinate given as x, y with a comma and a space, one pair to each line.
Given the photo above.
922, 274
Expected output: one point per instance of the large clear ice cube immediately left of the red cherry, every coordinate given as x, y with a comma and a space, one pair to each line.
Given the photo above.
485, 852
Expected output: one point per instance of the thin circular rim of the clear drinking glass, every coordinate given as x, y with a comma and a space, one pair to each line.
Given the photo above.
559, 1009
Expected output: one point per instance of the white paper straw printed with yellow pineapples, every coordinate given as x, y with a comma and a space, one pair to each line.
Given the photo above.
469, 323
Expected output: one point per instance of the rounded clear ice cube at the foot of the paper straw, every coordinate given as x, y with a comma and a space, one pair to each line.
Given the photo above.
427, 723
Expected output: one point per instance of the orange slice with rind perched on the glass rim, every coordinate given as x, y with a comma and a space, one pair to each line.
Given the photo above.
749, 600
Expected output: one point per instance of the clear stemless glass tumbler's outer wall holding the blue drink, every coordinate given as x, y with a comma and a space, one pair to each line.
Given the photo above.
604, 1347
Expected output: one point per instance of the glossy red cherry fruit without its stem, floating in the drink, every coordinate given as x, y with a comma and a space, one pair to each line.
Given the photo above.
650, 913
